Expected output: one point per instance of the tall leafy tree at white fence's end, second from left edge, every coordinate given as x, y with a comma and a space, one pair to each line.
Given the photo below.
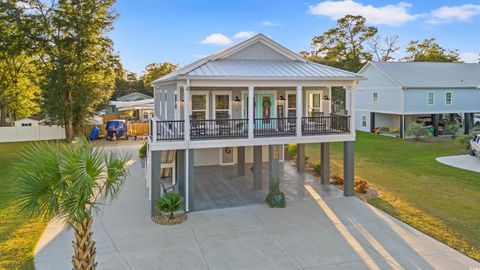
78, 57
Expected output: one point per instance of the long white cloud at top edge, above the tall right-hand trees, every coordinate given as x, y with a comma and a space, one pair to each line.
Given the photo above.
394, 15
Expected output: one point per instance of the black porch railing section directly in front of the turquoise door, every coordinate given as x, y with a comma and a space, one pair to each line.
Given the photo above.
274, 127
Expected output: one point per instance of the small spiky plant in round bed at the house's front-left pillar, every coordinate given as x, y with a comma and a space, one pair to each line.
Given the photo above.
168, 205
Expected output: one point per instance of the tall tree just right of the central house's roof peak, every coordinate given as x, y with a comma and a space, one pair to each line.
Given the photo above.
343, 45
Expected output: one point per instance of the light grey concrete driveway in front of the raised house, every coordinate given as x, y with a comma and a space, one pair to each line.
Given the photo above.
323, 231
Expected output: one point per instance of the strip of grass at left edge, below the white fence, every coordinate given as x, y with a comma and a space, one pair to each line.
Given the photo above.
18, 234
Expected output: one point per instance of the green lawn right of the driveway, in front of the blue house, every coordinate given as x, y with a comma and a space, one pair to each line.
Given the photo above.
439, 200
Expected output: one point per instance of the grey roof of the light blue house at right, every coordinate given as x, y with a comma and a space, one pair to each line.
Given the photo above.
430, 74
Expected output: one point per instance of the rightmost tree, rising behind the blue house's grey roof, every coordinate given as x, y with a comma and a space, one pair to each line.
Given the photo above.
430, 51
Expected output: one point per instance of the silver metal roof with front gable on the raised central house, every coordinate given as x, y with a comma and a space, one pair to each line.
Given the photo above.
258, 57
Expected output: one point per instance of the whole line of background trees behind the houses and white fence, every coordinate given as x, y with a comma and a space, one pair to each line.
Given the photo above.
57, 60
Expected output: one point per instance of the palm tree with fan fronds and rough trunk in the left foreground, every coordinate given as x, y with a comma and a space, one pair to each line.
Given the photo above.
68, 181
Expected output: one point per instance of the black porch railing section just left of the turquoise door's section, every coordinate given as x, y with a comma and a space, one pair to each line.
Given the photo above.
218, 129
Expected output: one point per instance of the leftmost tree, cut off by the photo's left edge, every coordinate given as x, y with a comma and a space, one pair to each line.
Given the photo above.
20, 76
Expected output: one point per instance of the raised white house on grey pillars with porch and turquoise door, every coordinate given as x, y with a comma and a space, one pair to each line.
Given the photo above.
241, 106
